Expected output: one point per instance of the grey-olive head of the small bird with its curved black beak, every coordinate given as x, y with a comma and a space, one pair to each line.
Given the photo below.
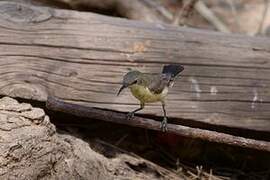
129, 79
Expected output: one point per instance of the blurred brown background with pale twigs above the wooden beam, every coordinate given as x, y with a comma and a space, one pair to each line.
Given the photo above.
250, 17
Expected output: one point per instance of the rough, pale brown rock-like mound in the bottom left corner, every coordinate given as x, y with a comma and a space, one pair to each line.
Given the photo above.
35, 151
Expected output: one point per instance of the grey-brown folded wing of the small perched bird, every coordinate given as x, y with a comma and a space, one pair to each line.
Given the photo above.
158, 83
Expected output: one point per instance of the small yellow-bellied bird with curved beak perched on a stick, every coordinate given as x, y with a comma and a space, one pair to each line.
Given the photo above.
150, 88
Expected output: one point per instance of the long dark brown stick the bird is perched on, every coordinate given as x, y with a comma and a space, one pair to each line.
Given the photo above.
120, 118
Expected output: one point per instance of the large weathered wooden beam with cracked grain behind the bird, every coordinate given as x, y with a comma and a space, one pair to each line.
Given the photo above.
81, 57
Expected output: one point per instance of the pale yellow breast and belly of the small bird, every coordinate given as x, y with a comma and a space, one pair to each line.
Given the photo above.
144, 95
